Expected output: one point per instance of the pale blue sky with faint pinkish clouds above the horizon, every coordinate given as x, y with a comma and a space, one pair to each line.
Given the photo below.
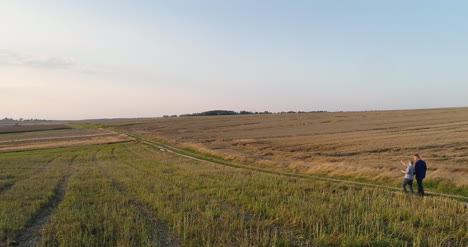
88, 59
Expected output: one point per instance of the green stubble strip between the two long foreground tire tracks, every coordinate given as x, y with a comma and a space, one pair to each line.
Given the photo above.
95, 212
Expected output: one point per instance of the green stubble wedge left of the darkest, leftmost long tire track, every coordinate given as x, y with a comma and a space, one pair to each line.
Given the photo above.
30, 192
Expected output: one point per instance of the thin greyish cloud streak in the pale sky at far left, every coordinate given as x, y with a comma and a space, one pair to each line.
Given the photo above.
11, 58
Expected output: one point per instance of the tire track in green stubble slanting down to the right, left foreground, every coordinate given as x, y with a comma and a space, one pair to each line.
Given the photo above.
161, 234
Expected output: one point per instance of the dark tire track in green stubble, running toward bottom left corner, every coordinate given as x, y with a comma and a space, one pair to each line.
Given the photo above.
31, 235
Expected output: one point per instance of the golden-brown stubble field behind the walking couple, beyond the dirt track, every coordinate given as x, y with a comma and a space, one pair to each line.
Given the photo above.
357, 144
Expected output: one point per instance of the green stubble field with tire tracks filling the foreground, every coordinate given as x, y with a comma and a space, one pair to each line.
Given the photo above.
131, 195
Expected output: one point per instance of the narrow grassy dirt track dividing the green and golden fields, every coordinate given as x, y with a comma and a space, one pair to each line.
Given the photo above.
178, 152
